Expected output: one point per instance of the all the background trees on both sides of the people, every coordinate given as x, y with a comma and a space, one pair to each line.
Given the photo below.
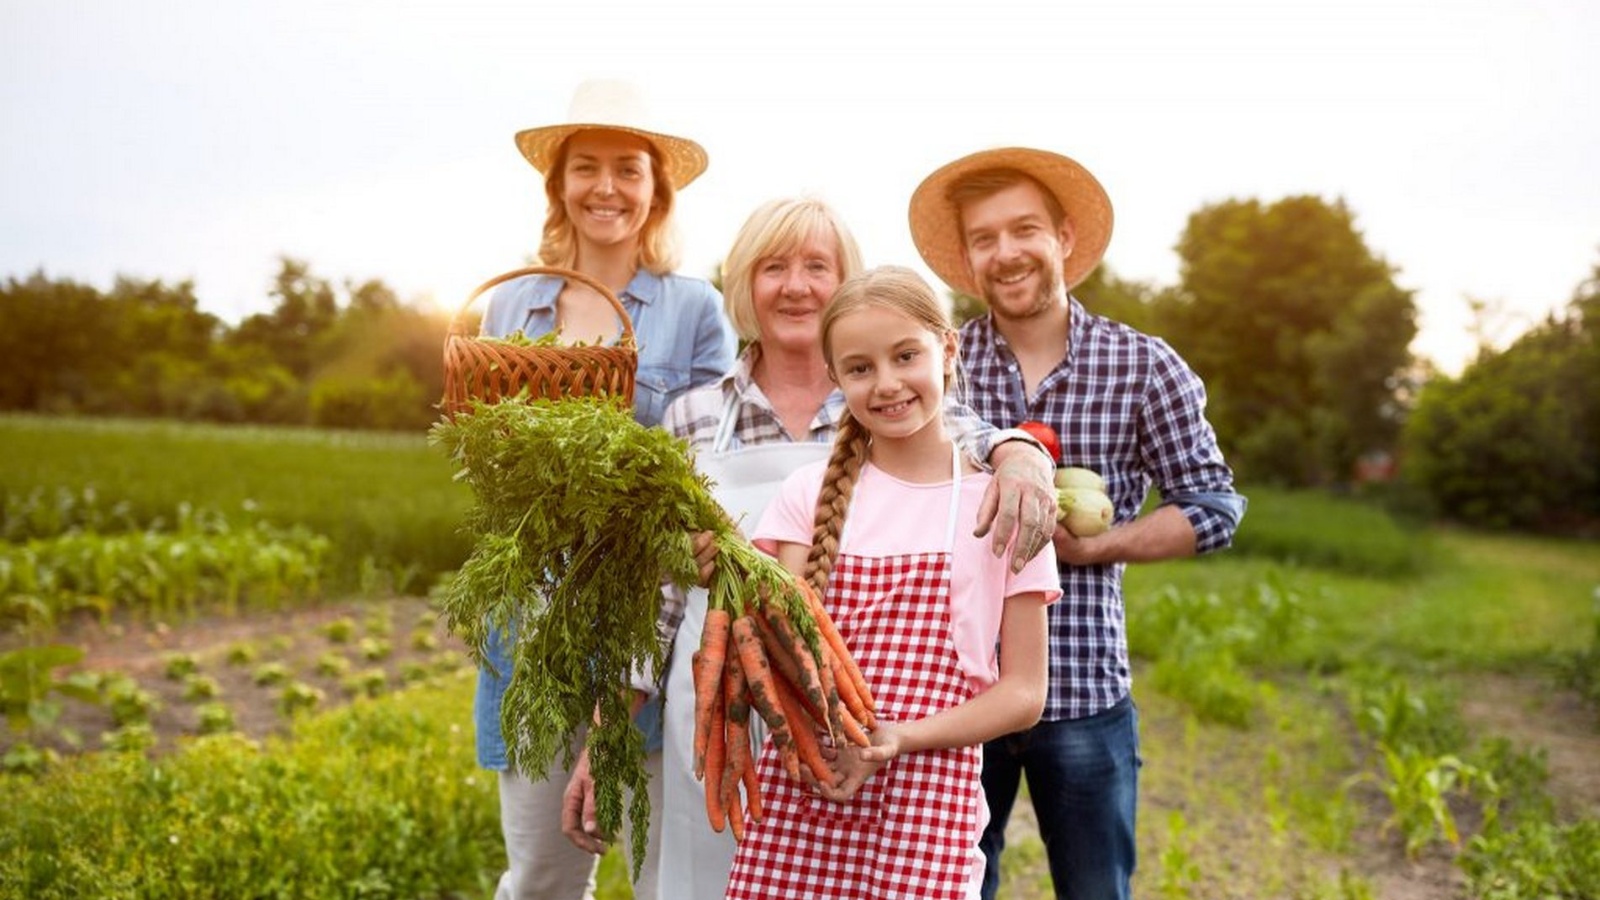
1297, 326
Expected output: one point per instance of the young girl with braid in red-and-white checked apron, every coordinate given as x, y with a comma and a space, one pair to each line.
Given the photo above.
951, 643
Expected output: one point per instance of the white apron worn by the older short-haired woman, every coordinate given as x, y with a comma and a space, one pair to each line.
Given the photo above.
695, 861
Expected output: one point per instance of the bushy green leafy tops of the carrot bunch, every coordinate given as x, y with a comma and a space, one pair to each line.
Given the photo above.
578, 515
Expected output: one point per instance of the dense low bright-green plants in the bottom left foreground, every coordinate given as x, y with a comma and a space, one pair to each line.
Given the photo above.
377, 800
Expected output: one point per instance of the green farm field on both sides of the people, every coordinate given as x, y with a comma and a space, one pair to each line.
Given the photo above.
1412, 717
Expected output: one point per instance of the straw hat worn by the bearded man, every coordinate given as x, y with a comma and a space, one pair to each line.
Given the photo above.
937, 223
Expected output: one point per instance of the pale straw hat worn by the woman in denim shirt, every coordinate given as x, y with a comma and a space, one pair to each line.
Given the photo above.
614, 106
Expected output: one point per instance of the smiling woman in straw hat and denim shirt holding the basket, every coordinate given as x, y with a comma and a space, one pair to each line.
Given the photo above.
610, 182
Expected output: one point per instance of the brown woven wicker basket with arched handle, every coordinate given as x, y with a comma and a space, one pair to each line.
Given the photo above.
478, 369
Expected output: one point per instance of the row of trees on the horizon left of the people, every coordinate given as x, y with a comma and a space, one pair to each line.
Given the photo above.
330, 358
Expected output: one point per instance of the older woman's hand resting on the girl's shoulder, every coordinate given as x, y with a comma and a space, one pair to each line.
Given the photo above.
1020, 500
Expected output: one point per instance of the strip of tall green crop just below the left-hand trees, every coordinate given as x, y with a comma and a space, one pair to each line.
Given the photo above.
385, 502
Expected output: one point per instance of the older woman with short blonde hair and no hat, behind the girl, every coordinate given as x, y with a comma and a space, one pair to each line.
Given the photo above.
775, 412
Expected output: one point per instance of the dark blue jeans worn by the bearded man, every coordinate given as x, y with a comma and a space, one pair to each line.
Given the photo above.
1084, 779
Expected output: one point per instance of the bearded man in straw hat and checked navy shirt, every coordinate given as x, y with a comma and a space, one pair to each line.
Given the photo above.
1022, 228
